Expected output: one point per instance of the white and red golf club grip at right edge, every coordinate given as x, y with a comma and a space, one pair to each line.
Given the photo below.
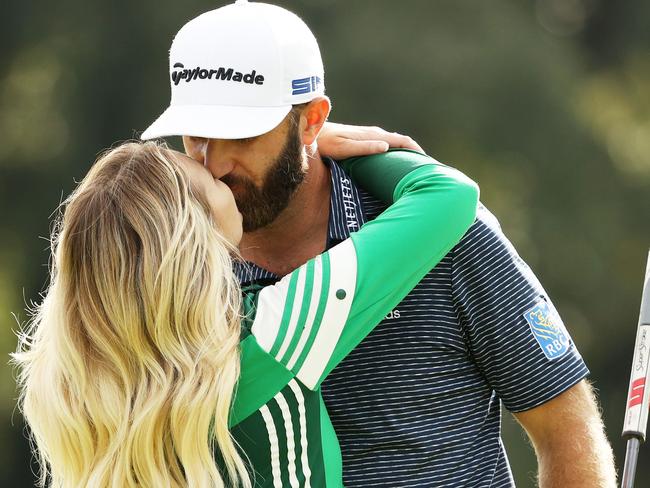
638, 397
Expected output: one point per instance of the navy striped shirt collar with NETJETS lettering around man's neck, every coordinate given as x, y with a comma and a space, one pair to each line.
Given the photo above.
346, 216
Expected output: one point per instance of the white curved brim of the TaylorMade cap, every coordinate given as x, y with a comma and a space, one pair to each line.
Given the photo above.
216, 121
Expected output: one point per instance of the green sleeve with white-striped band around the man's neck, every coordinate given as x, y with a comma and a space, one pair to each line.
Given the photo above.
312, 318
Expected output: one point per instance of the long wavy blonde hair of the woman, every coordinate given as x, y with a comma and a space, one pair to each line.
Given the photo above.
128, 365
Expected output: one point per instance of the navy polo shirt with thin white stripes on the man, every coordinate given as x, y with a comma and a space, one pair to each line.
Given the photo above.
418, 402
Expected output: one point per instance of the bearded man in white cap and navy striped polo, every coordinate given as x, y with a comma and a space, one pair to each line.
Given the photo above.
418, 402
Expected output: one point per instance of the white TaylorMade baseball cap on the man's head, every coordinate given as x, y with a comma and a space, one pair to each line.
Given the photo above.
236, 71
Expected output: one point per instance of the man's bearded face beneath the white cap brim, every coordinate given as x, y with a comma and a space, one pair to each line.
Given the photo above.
263, 172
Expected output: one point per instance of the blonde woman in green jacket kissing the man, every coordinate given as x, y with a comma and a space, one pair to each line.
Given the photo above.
143, 366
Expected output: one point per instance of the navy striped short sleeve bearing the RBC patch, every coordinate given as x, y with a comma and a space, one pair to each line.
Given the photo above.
514, 332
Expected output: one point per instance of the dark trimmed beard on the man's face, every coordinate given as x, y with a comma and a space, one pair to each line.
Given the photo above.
260, 206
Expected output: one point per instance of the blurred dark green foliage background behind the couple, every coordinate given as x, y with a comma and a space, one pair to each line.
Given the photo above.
546, 103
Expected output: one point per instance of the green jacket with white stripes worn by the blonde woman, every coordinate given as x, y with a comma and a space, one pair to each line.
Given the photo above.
299, 329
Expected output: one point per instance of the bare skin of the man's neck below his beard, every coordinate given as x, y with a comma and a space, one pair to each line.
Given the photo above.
300, 232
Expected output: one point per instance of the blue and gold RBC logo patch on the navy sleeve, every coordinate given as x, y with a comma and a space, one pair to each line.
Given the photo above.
548, 329
